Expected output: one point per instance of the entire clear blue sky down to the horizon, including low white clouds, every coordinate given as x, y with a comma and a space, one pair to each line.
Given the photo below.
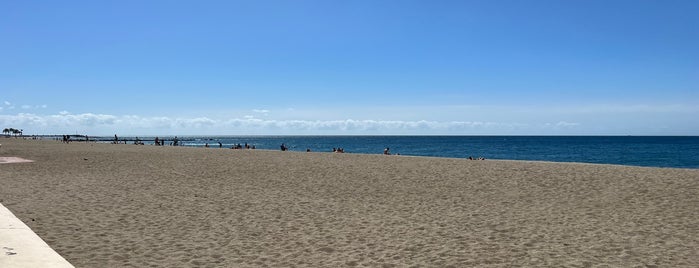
350, 67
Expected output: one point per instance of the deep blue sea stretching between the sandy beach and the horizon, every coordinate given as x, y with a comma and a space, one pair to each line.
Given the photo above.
650, 151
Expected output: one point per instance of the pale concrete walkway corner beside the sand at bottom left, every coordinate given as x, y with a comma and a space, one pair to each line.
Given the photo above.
20, 247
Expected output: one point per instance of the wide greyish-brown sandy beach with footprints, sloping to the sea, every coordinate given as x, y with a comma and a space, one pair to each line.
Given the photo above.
105, 205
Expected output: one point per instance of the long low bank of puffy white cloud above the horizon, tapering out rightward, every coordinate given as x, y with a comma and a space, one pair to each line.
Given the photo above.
103, 124
